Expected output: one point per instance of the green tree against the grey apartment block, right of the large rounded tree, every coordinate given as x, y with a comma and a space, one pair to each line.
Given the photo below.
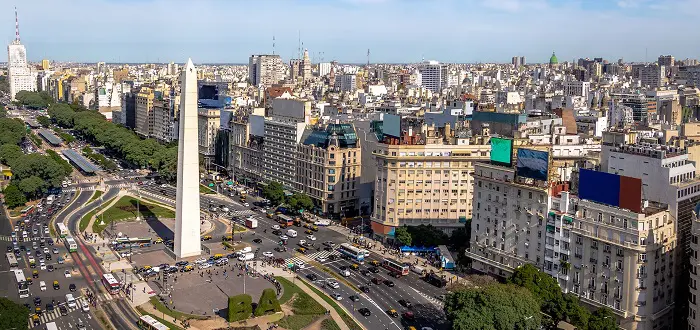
543, 286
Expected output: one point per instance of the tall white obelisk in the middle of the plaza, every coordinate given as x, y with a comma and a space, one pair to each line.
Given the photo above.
187, 225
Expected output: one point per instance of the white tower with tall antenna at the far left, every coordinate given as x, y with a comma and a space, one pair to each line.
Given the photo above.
20, 75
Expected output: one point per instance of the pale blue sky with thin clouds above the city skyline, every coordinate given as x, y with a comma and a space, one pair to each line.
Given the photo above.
465, 31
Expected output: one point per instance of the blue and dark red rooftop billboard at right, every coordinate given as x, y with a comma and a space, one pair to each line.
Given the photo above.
611, 189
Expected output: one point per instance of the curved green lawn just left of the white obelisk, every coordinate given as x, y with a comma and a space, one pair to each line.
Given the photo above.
125, 208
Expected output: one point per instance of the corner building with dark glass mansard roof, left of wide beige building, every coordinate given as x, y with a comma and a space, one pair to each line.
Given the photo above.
329, 165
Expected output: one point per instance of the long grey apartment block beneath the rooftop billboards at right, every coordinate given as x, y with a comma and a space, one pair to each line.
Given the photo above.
608, 256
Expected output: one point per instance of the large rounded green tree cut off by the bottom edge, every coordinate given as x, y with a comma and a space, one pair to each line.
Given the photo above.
494, 307
